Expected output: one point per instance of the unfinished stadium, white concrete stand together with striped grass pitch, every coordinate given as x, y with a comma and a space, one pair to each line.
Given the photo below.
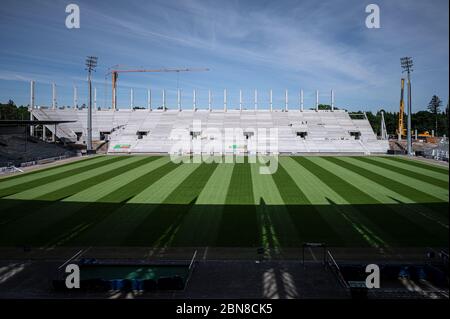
169, 189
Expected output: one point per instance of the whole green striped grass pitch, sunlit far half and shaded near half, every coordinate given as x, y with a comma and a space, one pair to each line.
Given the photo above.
150, 201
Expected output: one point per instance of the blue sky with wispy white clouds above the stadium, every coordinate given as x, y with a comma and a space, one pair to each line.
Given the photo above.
261, 44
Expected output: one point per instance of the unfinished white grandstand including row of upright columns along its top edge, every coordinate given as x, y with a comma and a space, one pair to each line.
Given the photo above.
254, 127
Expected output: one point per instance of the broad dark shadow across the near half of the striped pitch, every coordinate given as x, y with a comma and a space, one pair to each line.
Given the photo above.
66, 223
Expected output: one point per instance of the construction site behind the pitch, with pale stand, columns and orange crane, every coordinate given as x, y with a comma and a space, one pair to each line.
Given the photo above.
179, 127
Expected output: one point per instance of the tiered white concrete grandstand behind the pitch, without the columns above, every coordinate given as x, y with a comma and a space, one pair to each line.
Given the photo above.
145, 131
